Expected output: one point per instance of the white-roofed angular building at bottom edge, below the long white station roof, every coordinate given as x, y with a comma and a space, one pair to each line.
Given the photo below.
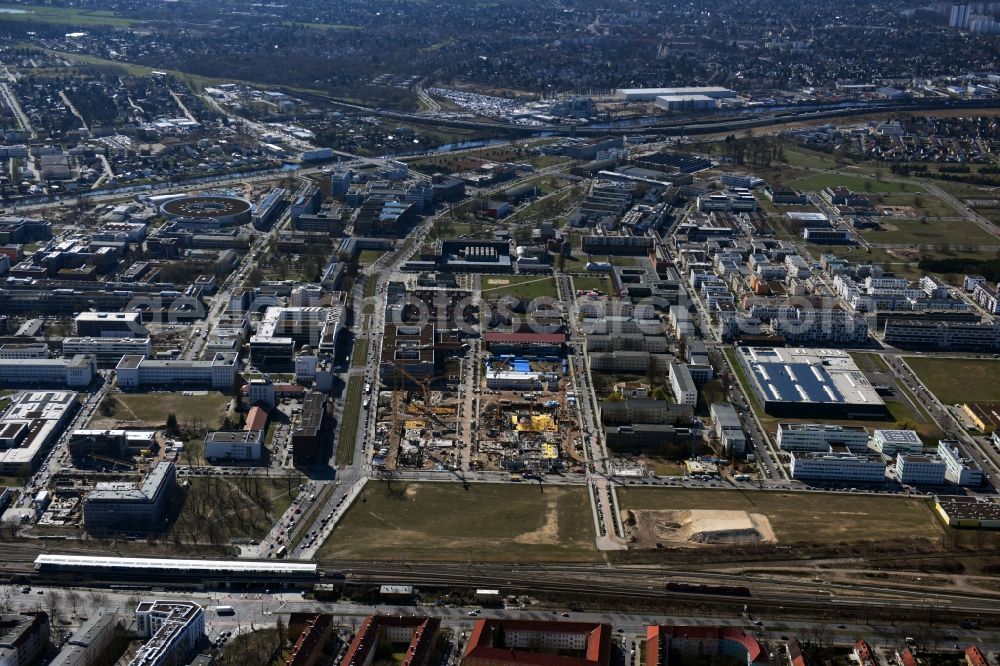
175, 631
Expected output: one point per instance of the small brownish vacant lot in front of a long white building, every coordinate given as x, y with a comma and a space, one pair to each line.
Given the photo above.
208, 407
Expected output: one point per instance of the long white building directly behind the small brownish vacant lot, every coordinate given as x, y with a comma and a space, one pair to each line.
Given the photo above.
136, 371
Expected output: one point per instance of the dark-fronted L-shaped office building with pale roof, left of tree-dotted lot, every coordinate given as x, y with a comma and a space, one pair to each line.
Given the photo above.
131, 507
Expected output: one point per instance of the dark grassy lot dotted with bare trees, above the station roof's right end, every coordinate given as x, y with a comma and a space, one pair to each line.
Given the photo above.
217, 510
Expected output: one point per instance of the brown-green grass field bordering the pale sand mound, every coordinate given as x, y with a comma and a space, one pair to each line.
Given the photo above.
803, 517
